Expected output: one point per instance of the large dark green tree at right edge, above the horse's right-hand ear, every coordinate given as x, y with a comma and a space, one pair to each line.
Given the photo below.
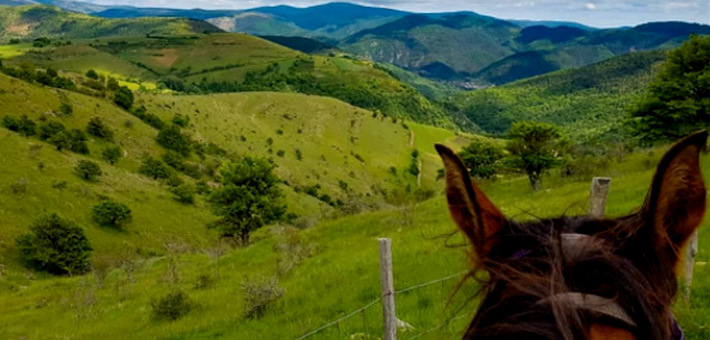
677, 101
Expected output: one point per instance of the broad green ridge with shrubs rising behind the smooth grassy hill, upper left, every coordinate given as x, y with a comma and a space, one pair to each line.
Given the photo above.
219, 63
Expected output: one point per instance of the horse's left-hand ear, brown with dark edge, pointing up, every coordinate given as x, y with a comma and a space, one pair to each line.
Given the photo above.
472, 211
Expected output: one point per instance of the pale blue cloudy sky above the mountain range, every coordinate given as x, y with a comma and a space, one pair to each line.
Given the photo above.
598, 13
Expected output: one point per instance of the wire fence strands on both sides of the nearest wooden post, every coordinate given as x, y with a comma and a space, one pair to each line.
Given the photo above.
419, 309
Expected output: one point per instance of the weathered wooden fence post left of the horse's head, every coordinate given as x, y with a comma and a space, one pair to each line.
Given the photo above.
387, 280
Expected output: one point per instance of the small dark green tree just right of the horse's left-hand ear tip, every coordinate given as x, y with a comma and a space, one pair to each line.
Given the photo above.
482, 159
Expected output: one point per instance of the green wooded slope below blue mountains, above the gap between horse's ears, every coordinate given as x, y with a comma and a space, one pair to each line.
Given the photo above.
587, 101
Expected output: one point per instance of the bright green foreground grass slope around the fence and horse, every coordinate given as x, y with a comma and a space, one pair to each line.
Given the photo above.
340, 275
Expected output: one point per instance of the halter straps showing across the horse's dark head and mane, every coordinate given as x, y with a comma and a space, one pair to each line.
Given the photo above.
591, 302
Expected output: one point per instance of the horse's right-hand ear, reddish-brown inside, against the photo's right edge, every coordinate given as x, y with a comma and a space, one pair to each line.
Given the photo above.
675, 204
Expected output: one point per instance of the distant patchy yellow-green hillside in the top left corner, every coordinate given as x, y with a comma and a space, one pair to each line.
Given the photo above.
29, 22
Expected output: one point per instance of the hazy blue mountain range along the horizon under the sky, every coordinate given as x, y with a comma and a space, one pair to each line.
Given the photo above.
463, 48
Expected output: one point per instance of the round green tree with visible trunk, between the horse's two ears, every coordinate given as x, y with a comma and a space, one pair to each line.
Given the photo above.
535, 148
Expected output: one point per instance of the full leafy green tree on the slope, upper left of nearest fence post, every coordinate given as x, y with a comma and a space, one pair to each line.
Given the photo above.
248, 199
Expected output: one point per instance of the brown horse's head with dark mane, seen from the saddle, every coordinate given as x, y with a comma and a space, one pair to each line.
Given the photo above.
578, 277
